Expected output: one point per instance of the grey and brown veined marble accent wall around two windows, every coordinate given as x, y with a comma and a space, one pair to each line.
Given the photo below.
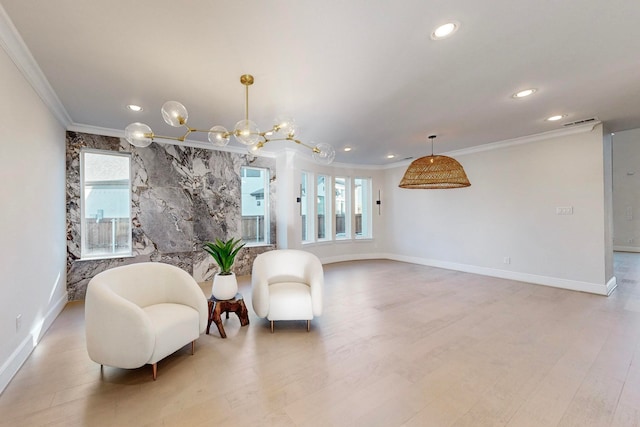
181, 197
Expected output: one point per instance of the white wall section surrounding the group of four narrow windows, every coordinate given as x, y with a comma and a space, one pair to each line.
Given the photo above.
290, 165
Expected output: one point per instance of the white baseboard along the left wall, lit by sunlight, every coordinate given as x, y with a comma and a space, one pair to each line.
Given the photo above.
9, 369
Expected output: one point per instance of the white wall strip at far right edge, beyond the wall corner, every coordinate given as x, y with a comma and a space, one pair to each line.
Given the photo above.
626, 190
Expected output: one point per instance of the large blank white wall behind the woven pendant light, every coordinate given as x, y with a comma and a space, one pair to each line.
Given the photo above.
510, 212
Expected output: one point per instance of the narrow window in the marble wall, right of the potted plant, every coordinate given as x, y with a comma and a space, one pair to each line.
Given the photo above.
255, 205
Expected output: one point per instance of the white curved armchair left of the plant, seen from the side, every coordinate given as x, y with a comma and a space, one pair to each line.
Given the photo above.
140, 313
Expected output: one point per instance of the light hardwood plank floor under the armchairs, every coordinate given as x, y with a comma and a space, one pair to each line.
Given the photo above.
398, 345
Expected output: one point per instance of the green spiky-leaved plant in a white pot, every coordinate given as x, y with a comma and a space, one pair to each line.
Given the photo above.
225, 285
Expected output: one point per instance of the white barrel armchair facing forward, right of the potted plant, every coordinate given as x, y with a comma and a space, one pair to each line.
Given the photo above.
287, 284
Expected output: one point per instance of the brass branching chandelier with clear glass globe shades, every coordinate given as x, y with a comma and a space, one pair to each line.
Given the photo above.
245, 131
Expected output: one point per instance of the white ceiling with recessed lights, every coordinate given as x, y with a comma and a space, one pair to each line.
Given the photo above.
359, 73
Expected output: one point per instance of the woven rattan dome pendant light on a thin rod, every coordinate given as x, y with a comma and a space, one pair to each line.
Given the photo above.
433, 172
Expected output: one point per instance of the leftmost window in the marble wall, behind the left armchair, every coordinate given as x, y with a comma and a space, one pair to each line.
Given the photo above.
105, 192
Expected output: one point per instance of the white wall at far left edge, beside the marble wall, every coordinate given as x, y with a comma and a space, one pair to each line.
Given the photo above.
32, 218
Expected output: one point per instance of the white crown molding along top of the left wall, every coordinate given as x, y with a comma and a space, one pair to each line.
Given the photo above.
12, 43
